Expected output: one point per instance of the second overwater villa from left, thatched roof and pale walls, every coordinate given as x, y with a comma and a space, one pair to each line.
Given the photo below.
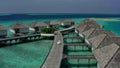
20, 28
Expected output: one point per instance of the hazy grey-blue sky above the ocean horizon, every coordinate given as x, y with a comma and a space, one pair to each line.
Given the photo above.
60, 6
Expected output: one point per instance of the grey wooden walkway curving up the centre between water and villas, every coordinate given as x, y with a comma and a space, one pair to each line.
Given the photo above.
56, 54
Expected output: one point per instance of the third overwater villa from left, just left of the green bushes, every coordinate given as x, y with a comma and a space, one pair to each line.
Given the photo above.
38, 26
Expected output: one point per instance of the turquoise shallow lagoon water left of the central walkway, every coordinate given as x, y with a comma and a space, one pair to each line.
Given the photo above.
27, 55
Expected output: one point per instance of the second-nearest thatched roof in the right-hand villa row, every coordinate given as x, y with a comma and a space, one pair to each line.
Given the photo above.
102, 39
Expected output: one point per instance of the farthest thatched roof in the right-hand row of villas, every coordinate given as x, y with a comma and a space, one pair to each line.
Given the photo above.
89, 24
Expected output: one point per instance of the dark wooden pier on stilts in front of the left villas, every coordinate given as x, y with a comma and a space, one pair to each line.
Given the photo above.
19, 39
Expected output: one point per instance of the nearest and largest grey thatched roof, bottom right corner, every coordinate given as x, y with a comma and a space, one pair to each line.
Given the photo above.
108, 56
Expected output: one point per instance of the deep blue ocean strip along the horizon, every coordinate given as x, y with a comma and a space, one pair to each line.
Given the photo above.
53, 16
